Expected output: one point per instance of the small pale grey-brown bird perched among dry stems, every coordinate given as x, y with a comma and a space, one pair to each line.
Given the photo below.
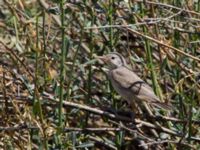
128, 84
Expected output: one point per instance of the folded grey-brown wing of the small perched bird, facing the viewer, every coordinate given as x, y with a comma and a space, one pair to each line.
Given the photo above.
129, 80
